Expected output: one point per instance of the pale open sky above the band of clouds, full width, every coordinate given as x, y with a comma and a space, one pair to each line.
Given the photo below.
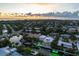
38, 7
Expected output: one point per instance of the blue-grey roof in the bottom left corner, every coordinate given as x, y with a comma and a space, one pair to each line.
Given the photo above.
6, 51
